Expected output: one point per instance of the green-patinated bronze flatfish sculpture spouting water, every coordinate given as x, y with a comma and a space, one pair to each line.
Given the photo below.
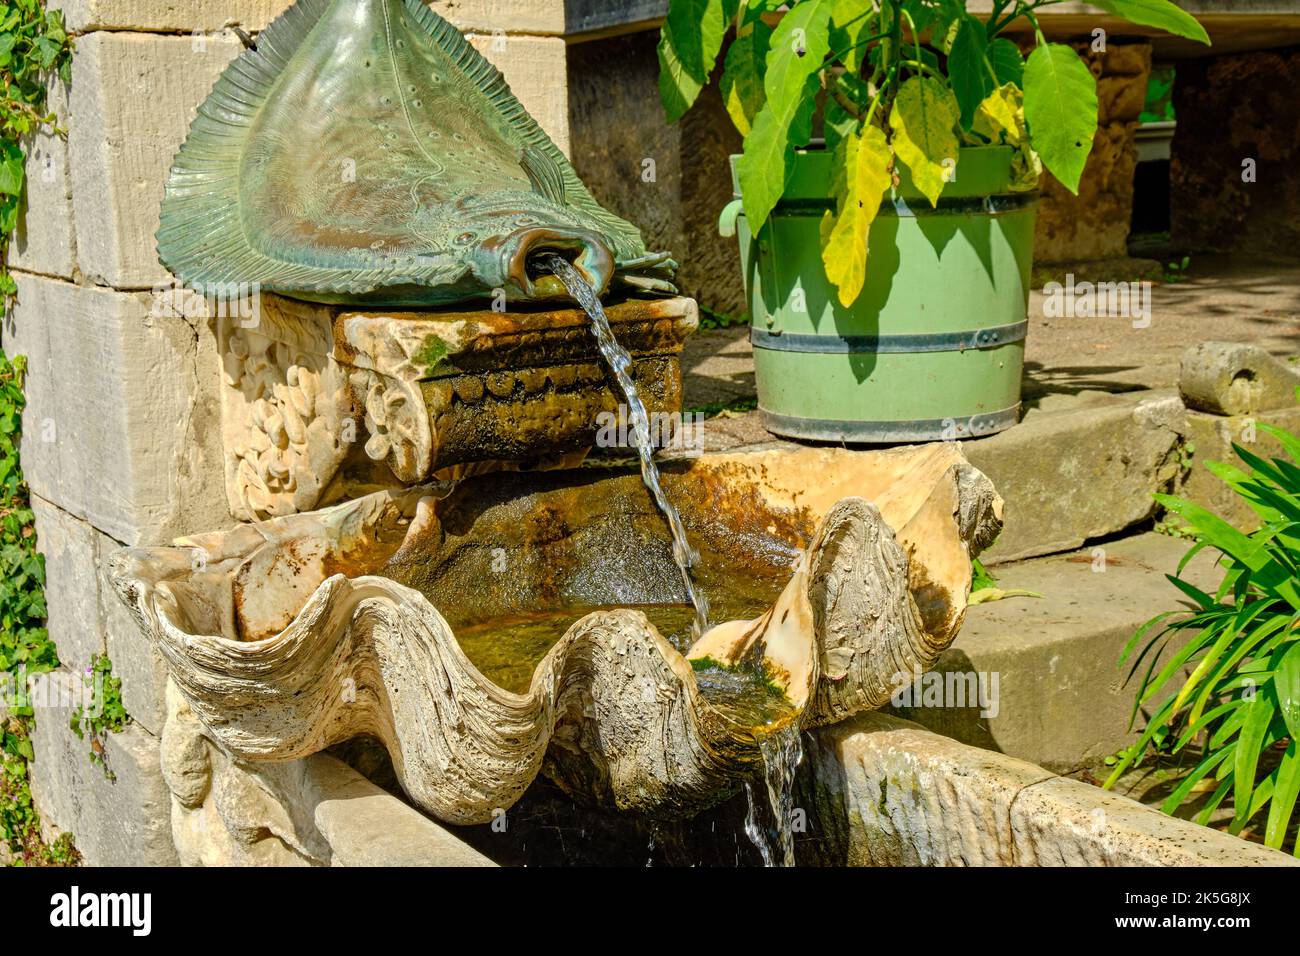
365, 153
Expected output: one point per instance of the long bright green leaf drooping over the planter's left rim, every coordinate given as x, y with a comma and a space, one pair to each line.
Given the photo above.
799, 49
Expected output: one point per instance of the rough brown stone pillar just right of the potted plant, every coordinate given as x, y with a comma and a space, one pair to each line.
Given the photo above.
1095, 223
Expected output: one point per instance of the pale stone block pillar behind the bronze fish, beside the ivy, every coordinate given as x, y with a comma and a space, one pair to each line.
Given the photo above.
122, 434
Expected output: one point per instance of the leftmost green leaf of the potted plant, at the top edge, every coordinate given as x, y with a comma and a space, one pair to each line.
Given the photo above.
690, 42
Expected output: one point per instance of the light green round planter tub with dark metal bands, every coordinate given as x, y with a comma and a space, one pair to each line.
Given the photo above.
935, 344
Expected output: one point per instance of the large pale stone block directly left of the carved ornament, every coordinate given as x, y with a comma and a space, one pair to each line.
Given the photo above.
123, 426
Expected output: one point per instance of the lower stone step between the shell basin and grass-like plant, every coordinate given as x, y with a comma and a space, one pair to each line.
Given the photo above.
1054, 691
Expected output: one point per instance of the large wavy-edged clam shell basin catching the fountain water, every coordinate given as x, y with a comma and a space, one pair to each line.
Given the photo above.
527, 624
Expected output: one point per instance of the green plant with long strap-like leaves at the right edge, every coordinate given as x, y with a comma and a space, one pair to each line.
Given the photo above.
1242, 698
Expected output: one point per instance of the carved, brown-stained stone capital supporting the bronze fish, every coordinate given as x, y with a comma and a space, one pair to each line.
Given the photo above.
314, 397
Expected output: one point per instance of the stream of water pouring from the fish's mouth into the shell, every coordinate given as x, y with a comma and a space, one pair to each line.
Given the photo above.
621, 364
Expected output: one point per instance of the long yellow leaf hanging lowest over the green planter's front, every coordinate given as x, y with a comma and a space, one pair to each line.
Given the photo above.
861, 165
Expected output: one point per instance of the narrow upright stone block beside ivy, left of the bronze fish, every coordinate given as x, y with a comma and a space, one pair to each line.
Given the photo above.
45, 241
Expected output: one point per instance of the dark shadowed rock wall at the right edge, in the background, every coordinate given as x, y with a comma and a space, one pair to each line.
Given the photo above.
1232, 110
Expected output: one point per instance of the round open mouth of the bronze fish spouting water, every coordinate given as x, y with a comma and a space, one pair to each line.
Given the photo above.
522, 261
